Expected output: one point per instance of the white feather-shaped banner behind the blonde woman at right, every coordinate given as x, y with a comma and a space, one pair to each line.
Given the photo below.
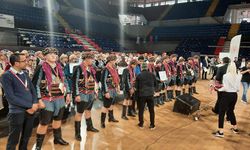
235, 47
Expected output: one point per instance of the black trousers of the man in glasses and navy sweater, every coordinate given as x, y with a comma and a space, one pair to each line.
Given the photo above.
19, 124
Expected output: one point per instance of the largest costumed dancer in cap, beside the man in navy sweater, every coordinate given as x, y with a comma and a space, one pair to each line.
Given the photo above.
51, 87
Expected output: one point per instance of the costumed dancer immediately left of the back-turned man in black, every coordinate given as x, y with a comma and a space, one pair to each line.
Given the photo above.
128, 78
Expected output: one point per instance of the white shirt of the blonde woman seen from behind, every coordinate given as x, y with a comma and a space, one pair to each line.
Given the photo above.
231, 83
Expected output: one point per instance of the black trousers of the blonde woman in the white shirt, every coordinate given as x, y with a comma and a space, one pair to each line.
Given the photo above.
226, 104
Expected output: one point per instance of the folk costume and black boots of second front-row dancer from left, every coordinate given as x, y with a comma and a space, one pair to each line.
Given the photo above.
84, 86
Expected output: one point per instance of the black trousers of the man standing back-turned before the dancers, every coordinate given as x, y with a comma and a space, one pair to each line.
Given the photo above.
150, 103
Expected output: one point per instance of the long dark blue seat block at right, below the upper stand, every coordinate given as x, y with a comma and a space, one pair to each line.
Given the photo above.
198, 31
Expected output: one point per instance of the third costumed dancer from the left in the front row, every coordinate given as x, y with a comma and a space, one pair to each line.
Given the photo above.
109, 86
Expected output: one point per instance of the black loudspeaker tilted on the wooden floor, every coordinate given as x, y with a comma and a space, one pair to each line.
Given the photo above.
186, 104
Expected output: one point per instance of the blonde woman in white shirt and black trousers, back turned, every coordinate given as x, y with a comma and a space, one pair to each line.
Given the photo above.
231, 85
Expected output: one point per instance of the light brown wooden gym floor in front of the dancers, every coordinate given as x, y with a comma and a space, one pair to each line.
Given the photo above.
173, 131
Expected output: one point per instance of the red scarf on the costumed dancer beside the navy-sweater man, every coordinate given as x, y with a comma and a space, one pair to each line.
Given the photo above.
48, 72
